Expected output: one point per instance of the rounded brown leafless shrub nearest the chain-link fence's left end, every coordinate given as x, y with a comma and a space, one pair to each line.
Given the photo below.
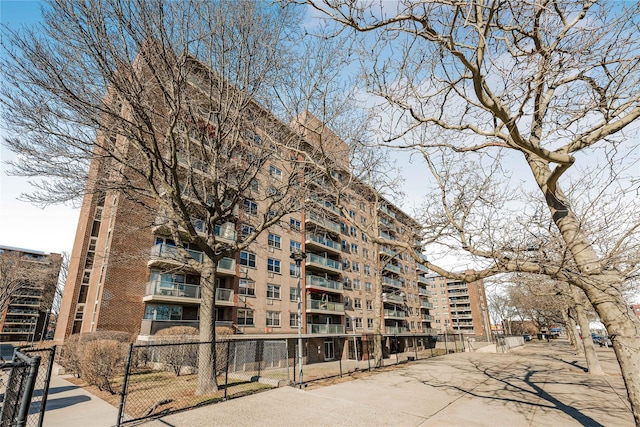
101, 360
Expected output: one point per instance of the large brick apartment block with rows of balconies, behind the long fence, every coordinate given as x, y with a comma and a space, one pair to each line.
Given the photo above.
125, 275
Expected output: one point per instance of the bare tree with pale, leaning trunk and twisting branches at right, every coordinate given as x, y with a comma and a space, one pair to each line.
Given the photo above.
553, 83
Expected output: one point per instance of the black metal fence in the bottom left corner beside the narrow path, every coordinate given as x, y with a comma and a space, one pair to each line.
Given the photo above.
26, 387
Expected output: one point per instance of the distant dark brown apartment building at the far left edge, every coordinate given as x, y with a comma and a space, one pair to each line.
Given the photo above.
30, 278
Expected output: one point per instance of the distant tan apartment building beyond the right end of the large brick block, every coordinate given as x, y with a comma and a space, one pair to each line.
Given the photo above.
459, 306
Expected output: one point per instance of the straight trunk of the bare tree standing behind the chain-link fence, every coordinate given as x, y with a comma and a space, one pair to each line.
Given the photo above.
207, 380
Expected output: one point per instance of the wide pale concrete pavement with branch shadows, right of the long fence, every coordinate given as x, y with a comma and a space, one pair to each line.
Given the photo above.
541, 384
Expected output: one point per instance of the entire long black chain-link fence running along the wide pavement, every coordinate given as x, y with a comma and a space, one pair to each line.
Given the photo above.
164, 377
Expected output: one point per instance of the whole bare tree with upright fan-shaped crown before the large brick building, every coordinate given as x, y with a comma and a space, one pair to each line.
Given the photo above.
169, 106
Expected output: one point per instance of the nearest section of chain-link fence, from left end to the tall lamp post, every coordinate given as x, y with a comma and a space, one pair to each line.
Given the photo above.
161, 378
